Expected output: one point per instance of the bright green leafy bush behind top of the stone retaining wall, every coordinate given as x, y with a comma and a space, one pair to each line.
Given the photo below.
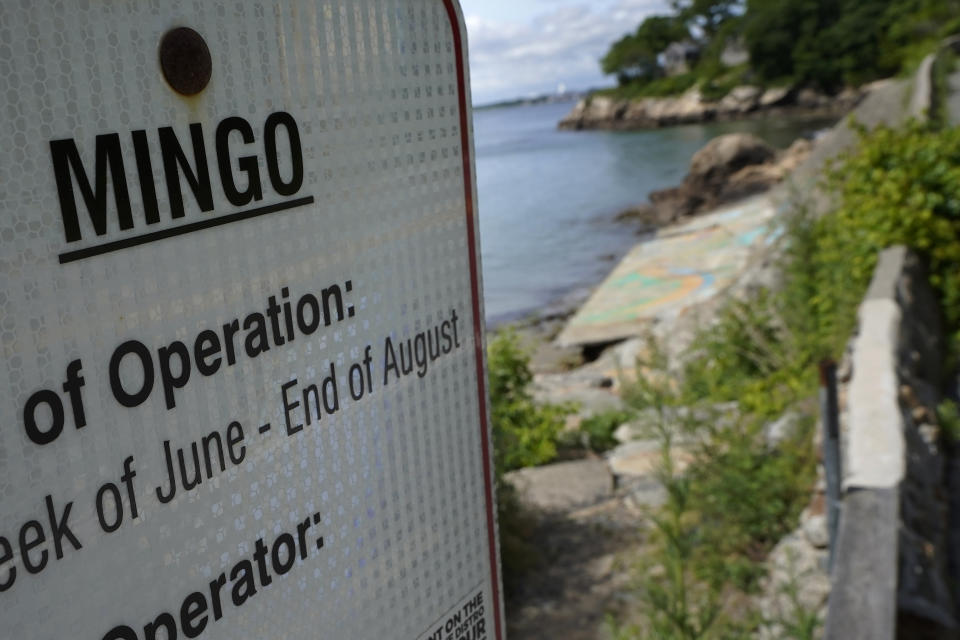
899, 187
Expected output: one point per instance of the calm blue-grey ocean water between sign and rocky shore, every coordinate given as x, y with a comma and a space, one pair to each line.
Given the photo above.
547, 199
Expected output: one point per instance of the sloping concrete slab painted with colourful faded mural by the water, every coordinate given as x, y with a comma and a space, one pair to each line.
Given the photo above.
682, 266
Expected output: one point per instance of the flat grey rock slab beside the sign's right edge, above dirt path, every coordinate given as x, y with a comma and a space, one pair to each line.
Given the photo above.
563, 486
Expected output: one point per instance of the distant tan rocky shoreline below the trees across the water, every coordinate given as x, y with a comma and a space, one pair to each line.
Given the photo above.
604, 112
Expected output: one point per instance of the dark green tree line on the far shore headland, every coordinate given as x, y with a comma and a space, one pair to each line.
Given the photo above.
822, 44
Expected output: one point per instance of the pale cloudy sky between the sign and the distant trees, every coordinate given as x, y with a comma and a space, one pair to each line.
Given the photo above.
530, 47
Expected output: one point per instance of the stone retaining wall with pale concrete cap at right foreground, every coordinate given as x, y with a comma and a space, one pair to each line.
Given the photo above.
890, 578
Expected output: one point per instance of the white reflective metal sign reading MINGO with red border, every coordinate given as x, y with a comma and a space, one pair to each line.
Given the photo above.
241, 390
